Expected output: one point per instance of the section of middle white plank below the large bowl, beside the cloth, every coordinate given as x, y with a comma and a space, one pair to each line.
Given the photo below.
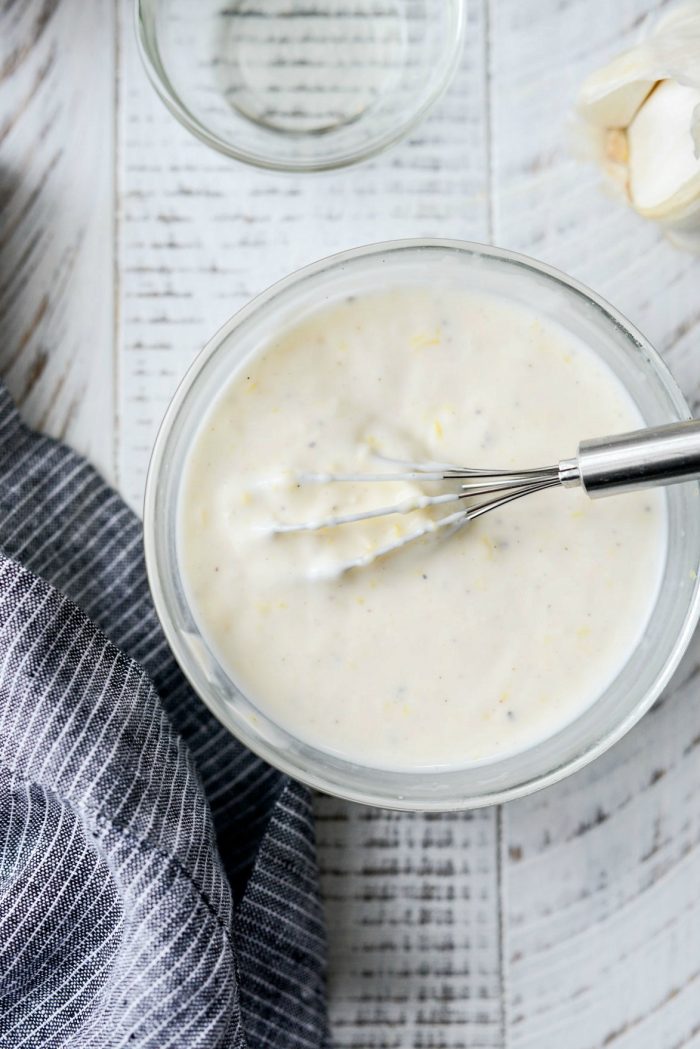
413, 905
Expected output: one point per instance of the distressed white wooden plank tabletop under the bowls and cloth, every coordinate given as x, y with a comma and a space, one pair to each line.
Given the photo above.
571, 918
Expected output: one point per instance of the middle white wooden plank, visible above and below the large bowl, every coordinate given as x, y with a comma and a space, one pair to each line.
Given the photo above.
413, 903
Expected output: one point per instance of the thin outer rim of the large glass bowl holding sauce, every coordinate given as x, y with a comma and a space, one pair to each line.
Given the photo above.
244, 732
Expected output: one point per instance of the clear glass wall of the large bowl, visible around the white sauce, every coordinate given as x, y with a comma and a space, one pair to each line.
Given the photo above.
476, 268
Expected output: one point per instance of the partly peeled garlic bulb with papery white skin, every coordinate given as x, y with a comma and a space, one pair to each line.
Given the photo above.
644, 116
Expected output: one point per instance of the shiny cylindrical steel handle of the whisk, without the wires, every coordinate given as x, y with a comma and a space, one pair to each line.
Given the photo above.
659, 456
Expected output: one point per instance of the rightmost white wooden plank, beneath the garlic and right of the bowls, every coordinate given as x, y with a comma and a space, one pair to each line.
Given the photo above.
601, 873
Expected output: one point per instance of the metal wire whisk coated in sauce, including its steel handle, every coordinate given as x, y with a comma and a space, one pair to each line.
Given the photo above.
604, 466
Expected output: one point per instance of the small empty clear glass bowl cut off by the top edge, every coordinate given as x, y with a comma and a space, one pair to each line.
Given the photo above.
301, 85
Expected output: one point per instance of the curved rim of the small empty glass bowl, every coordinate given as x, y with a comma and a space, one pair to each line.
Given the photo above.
166, 92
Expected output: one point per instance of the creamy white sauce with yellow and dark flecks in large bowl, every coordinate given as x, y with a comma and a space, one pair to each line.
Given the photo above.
449, 651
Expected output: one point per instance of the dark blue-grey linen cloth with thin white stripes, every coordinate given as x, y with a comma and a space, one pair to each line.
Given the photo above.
158, 883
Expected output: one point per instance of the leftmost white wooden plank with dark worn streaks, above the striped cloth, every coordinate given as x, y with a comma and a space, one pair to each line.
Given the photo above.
57, 80
